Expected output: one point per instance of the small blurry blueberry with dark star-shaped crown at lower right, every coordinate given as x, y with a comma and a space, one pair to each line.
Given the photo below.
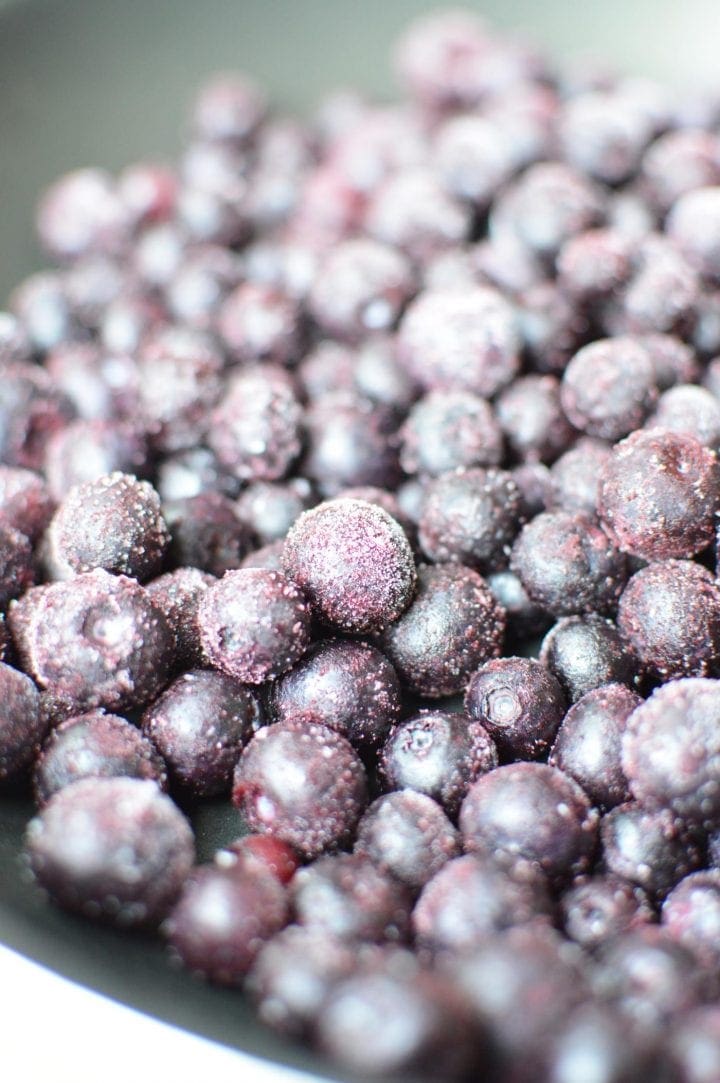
600, 908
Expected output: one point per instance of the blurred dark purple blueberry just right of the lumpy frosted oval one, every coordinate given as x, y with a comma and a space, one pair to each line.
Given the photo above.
350, 443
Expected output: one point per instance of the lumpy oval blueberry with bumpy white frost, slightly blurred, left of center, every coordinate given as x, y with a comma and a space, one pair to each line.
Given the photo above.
255, 432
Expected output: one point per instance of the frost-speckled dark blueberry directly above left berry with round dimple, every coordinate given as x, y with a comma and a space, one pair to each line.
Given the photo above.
114, 524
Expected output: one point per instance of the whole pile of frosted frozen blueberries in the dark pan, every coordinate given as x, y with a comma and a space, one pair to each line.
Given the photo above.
307, 443
